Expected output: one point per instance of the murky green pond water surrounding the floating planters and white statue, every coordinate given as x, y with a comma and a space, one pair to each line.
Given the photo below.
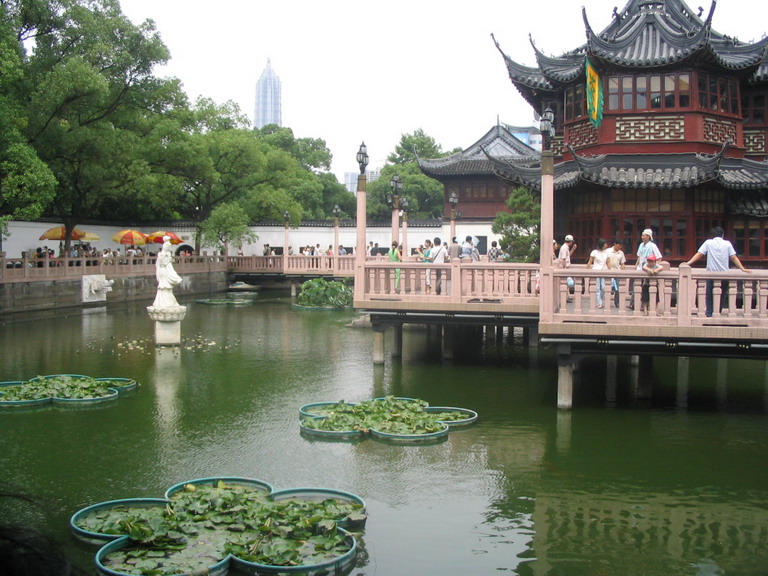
674, 484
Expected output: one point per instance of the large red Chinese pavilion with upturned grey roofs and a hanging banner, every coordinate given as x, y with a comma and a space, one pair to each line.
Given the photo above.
675, 138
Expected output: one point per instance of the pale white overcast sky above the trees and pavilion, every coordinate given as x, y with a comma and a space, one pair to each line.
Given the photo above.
374, 70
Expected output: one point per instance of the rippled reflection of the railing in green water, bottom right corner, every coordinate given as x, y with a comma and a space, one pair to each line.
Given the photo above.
647, 530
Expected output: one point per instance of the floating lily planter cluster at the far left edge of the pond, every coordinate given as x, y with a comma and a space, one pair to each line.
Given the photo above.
63, 389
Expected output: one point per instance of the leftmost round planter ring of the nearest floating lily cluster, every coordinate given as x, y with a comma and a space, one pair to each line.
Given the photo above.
83, 522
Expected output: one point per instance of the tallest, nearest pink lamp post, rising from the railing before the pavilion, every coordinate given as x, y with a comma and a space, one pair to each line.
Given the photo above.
546, 227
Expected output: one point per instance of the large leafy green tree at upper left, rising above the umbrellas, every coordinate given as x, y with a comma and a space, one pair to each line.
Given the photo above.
91, 96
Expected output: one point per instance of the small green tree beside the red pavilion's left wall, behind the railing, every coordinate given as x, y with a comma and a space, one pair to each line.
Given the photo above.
520, 226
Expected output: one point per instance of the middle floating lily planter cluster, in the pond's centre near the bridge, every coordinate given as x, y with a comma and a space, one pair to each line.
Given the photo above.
395, 419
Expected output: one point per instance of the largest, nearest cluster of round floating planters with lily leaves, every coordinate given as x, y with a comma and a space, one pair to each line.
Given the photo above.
208, 525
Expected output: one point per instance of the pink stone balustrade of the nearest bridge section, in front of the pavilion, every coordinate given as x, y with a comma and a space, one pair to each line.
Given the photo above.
675, 296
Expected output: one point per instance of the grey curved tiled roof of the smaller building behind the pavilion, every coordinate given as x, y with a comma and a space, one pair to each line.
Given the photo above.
473, 161
